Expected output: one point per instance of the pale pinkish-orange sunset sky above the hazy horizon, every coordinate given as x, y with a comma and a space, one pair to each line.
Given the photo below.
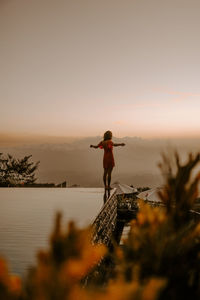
80, 67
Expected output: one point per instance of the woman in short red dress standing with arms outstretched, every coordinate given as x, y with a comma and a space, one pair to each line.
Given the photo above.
108, 159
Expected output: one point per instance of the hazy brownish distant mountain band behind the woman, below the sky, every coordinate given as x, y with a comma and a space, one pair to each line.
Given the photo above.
72, 160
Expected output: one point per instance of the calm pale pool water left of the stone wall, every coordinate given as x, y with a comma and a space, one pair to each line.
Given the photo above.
27, 215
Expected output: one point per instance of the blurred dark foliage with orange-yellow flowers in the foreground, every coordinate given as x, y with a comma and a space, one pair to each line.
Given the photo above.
160, 259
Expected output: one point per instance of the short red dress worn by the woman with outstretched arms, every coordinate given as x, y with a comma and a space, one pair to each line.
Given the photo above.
108, 159
